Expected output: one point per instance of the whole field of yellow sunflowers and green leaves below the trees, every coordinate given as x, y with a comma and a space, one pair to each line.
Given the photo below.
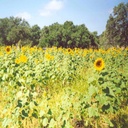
63, 88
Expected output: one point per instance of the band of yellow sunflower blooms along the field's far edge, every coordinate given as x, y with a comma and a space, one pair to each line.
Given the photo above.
98, 64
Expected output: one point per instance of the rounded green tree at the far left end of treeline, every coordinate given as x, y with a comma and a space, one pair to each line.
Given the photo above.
13, 30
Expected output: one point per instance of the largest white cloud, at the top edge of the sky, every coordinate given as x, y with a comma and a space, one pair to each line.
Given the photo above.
52, 6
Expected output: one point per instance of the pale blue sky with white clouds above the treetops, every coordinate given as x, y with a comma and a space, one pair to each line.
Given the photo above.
93, 13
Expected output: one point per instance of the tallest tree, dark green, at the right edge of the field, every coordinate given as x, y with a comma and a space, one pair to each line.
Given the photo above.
117, 26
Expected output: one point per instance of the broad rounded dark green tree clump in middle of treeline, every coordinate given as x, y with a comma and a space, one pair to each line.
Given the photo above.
67, 35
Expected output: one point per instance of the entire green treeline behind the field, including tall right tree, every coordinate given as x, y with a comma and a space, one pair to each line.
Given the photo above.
16, 31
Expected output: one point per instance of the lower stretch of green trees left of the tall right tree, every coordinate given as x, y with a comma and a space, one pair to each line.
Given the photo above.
15, 30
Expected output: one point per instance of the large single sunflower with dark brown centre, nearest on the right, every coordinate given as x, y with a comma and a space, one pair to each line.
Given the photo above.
99, 64
